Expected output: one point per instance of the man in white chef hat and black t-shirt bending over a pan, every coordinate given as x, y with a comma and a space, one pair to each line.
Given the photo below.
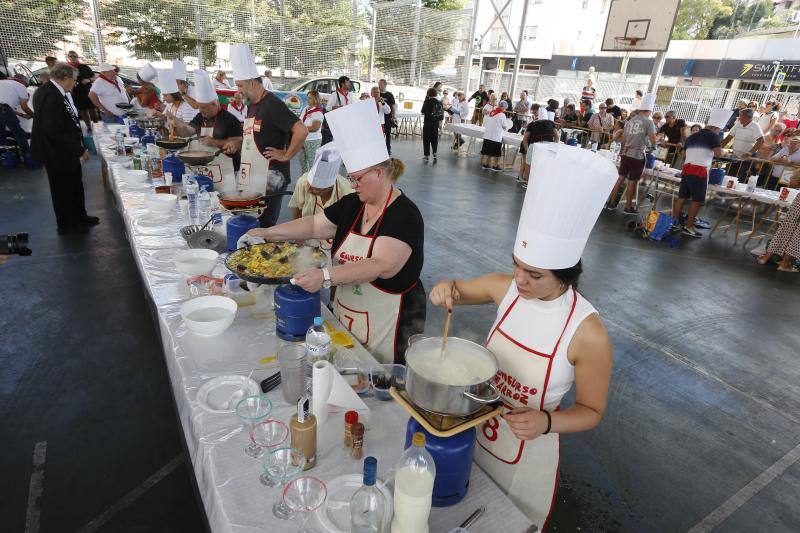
215, 127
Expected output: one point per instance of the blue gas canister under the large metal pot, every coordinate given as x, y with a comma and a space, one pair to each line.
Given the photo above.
453, 459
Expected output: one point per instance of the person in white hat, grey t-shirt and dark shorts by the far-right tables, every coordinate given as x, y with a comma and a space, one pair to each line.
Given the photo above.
638, 130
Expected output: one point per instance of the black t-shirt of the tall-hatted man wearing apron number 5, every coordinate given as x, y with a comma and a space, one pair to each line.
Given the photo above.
272, 127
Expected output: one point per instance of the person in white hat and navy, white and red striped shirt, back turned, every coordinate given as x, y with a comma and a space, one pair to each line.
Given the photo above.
699, 151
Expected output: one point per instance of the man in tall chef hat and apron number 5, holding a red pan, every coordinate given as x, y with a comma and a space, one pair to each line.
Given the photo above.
272, 133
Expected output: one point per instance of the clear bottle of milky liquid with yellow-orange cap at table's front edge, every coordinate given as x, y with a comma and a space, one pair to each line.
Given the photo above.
413, 488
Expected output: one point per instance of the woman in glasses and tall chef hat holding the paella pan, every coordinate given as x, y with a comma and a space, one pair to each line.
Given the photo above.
377, 237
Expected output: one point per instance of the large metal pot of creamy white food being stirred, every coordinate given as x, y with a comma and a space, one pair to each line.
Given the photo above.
428, 387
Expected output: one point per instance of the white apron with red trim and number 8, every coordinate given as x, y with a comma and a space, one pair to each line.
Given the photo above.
526, 470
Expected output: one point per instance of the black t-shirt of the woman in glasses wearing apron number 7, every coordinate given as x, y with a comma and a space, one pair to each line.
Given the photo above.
401, 221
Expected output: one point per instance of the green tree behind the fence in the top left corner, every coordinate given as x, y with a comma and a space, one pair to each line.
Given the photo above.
32, 28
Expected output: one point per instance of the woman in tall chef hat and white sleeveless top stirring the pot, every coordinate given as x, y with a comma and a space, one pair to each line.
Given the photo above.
546, 336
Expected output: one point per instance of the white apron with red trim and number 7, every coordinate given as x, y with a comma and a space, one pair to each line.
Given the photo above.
371, 314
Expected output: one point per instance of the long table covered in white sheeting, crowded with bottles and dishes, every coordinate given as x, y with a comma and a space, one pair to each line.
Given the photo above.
227, 479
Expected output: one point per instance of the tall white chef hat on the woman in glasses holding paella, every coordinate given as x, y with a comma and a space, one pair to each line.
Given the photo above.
357, 131
